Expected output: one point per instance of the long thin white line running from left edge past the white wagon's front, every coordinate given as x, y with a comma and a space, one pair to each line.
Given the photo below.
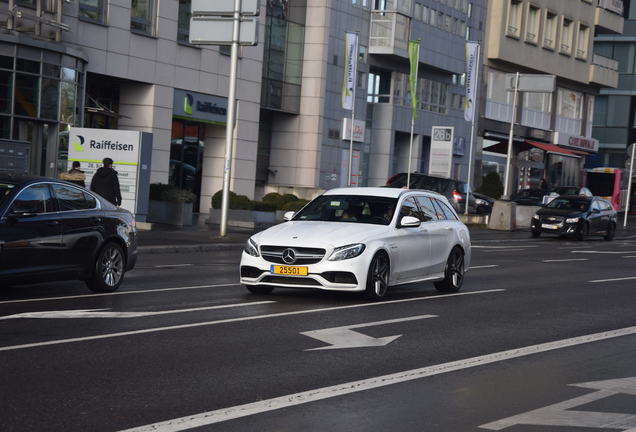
233, 320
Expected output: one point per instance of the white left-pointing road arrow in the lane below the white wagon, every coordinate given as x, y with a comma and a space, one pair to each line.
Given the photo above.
344, 337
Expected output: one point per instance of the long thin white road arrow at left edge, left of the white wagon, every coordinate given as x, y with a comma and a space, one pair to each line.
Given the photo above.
105, 313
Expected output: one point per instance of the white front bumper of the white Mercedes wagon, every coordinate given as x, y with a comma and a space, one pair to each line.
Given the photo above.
345, 275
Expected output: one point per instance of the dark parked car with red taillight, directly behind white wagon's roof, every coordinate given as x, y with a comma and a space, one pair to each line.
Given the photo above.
453, 190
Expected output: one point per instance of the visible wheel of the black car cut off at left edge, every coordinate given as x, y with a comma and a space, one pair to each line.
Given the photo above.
108, 270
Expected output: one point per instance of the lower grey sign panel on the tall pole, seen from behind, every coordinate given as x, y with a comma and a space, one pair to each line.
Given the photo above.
218, 31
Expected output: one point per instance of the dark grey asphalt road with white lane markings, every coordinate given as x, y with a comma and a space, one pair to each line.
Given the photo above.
541, 338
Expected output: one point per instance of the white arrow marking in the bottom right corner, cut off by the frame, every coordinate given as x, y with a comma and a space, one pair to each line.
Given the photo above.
562, 414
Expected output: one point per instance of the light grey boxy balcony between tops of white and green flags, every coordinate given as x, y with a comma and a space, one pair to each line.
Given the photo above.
389, 33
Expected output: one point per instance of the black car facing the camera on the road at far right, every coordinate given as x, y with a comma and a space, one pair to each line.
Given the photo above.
578, 216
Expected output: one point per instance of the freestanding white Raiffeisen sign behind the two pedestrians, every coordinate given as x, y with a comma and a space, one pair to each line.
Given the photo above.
131, 152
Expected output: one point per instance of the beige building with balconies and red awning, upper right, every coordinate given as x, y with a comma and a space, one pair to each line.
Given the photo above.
553, 134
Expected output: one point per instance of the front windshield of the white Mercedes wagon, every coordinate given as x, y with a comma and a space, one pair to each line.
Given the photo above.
349, 208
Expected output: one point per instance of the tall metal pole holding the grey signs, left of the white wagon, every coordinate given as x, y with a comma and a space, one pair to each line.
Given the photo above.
231, 112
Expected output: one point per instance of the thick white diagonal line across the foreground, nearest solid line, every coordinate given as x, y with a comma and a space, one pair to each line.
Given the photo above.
224, 414
